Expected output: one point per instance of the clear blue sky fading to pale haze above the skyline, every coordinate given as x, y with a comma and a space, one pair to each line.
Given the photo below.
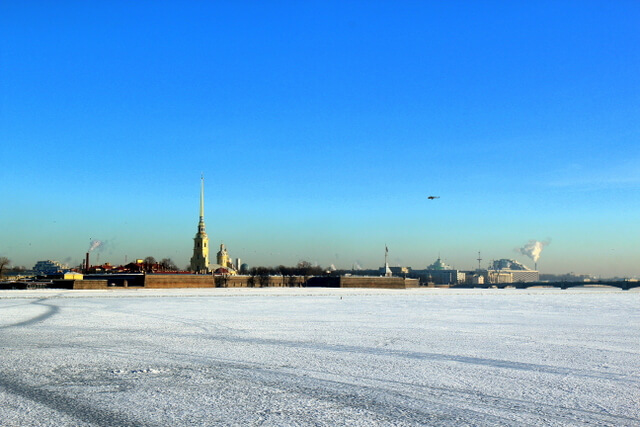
321, 128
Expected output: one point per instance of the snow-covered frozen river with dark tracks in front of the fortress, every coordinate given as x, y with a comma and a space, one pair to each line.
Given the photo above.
319, 357
